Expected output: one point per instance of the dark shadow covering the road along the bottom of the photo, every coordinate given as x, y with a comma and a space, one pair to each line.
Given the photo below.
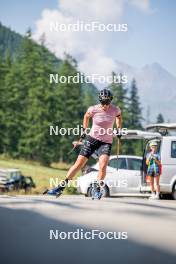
25, 239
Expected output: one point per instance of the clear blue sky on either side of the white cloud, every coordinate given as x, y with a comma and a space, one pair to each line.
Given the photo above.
151, 36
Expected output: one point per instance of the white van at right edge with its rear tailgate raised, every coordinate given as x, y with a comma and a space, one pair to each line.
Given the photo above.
165, 134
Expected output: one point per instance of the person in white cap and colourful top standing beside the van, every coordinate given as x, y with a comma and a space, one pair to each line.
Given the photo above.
153, 162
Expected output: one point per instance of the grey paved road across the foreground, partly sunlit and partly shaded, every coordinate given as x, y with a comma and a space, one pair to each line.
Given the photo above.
26, 221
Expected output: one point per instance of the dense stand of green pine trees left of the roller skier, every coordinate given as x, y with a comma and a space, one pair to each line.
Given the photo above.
29, 104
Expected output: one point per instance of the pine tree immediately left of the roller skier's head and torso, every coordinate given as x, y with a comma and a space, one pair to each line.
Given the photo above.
69, 107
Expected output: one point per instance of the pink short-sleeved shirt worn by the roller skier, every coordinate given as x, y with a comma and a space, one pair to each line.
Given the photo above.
103, 121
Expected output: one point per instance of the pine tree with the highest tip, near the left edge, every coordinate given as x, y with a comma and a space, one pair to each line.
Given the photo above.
17, 82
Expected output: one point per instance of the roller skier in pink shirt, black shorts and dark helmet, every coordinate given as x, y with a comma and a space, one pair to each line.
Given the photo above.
103, 116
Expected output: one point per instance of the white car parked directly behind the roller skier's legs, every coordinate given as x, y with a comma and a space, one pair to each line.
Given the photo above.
123, 175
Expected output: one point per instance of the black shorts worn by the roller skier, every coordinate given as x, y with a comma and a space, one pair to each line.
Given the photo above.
91, 145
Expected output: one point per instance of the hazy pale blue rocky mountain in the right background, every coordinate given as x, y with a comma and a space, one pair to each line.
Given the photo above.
157, 88
